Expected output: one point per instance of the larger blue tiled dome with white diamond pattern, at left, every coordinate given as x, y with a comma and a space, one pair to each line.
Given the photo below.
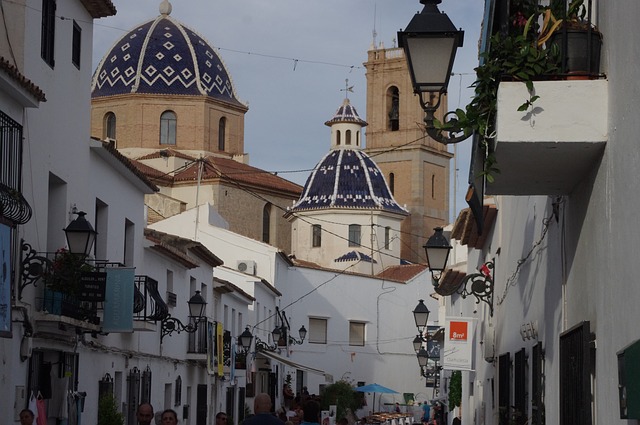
163, 57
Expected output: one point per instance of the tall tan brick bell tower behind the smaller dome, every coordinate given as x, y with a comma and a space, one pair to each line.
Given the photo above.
415, 166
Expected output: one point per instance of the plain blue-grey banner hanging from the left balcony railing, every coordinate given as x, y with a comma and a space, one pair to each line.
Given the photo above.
118, 300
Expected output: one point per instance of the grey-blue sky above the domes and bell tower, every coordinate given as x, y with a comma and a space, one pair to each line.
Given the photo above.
289, 59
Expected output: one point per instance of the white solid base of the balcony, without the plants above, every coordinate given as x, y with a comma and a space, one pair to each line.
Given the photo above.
550, 149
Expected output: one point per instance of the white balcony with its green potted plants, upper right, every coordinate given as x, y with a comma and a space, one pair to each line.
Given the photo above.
541, 102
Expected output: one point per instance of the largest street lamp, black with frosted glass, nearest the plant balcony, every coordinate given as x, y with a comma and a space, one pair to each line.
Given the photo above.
430, 42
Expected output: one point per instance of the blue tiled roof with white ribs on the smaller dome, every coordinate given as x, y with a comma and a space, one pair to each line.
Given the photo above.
347, 178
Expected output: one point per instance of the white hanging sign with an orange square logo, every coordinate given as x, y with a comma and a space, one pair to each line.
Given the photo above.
458, 343
